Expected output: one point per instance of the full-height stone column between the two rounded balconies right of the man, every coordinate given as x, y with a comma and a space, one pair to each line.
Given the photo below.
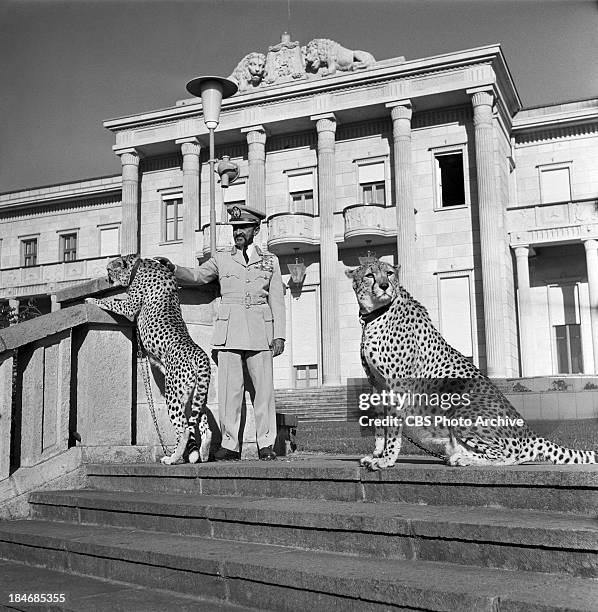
326, 128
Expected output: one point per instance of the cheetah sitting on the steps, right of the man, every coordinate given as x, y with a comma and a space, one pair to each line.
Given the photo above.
402, 351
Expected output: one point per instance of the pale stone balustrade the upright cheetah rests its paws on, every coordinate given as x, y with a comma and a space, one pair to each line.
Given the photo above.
74, 379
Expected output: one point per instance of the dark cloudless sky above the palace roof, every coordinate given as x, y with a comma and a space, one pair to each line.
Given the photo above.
67, 66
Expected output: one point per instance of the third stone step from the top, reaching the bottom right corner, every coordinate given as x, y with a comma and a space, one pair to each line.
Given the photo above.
282, 578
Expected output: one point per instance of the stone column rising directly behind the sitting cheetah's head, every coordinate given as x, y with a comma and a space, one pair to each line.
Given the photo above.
401, 130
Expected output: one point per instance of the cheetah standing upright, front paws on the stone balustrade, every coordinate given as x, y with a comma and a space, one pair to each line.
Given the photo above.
152, 296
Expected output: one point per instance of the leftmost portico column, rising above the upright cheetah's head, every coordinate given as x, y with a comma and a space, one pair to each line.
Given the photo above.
129, 231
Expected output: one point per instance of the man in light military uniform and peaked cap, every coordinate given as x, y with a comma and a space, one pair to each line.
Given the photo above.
249, 329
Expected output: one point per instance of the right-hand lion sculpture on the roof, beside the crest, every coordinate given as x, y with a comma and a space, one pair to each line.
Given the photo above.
324, 57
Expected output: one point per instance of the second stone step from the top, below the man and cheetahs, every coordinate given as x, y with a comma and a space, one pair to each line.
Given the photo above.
488, 537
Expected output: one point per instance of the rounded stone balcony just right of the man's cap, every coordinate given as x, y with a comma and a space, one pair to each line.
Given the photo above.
289, 231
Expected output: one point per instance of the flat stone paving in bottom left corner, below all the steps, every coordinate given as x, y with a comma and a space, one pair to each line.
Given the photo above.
94, 594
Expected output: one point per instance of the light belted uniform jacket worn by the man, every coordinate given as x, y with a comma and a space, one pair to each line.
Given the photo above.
251, 312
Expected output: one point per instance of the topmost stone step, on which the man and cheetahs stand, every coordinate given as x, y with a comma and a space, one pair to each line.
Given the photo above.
413, 480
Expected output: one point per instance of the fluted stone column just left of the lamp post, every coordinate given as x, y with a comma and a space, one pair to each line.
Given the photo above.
191, 149
